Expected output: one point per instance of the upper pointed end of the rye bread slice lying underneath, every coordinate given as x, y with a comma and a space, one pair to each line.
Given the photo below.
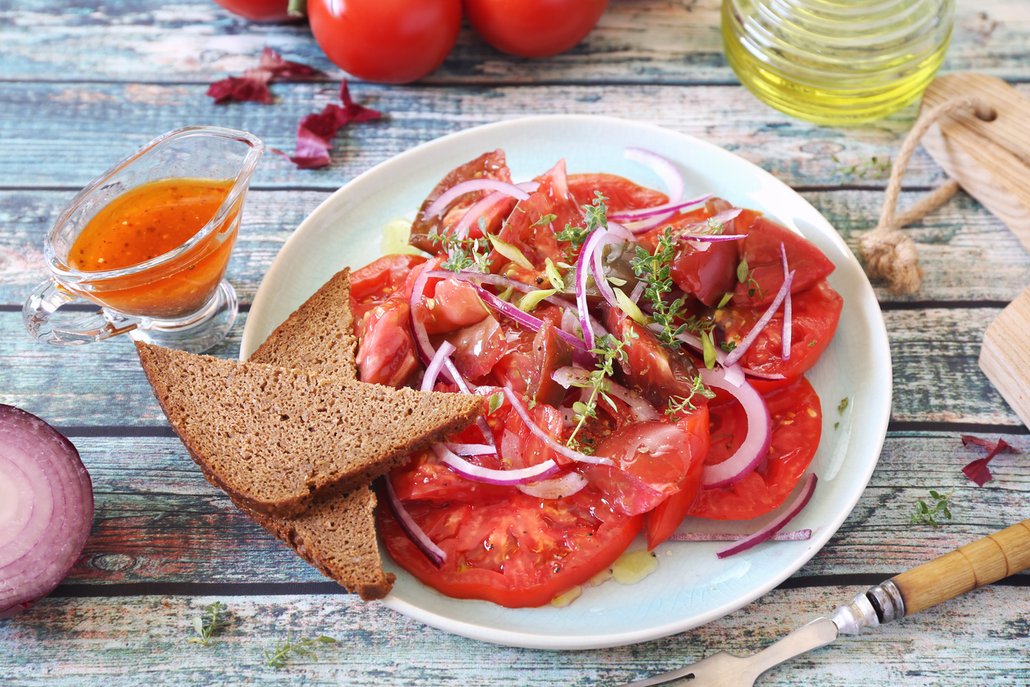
319, 337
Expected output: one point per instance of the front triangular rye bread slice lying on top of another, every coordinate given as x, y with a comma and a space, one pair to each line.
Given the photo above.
278, 439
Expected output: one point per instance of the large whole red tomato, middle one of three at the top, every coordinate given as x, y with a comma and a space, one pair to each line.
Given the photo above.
390, 42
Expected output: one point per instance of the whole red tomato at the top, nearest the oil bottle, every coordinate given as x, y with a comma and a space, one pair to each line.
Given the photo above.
534, 28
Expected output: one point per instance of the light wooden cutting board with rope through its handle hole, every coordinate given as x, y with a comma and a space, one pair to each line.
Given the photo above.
990, 158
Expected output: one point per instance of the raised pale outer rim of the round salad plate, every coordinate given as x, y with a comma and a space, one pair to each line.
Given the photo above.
265, 301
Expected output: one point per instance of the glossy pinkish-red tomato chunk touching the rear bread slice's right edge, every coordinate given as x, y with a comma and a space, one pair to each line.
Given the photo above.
386, 350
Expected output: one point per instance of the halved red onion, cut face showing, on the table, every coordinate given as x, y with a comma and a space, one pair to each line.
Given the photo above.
46, 509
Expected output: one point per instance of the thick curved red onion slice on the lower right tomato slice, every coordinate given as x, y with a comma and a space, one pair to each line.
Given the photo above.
757, 442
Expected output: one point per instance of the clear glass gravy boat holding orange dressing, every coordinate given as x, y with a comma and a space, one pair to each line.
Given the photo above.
178, 299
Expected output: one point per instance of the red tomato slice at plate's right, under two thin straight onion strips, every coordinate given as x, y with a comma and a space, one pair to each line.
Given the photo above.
816, 314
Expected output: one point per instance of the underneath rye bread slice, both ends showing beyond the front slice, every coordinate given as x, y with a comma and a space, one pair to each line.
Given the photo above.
338, 536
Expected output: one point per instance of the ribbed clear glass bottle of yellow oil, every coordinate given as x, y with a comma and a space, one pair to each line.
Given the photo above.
837, 62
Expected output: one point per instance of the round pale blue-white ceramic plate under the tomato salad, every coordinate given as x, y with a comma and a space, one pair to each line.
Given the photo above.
691, 587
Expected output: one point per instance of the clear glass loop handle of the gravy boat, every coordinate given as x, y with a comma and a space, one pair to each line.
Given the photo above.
51, 297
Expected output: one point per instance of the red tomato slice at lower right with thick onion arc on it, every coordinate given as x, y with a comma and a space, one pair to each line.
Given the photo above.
797, 427
